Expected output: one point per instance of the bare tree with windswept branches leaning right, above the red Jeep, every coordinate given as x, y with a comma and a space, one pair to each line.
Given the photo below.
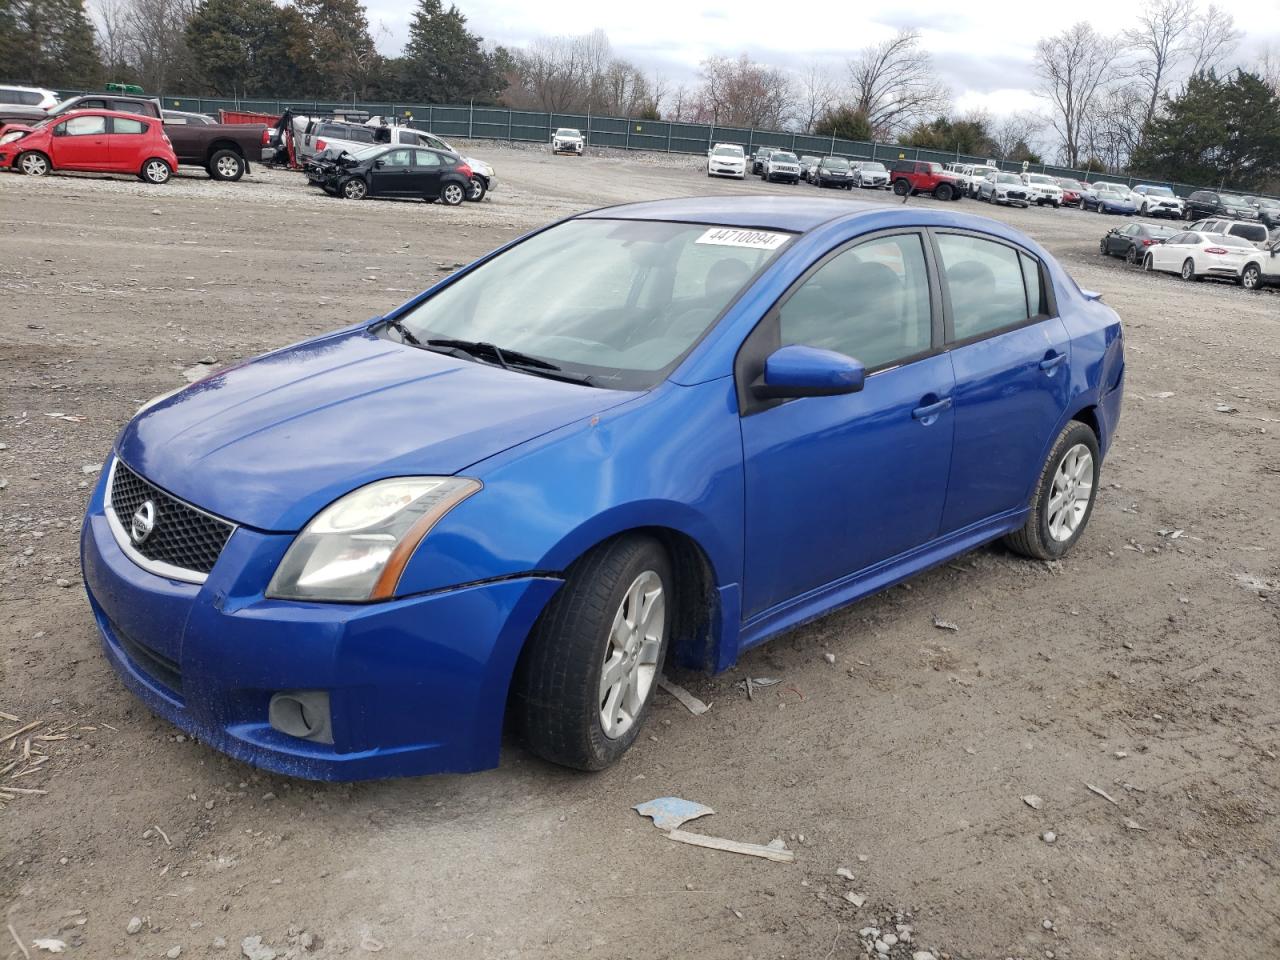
895, 86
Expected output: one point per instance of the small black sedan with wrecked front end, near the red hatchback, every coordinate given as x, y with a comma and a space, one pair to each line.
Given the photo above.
395, 172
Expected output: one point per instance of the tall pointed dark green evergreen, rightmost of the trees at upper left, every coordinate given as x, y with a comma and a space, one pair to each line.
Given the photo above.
444, 61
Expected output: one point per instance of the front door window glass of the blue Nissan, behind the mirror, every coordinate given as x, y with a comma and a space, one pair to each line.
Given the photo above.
870, 303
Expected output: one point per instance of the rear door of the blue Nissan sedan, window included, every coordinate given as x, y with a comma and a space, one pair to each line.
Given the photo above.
1011, 353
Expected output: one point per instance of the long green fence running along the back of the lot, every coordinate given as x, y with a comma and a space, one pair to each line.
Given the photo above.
671, 138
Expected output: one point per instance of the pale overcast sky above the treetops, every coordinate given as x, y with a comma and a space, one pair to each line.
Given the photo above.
984, 52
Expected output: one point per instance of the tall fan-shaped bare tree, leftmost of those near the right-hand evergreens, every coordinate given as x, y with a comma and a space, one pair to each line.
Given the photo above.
1073, 68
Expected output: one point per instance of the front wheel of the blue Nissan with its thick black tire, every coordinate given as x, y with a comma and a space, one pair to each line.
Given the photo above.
557, 700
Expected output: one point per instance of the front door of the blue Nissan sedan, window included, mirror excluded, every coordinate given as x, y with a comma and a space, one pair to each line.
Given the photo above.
836, 484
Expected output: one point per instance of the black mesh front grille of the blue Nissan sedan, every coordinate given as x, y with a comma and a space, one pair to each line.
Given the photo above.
182, 536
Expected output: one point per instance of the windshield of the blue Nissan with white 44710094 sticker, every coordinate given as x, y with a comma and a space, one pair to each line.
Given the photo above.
620, 301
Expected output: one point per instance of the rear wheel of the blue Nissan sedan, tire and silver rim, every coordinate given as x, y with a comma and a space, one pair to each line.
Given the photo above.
1062, 506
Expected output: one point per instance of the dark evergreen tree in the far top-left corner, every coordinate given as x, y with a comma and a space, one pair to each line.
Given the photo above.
48, 43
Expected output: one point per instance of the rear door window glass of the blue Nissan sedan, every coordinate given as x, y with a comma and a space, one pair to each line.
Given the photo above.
988, 286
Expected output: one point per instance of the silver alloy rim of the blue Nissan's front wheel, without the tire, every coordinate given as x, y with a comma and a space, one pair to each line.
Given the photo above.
630, 666
